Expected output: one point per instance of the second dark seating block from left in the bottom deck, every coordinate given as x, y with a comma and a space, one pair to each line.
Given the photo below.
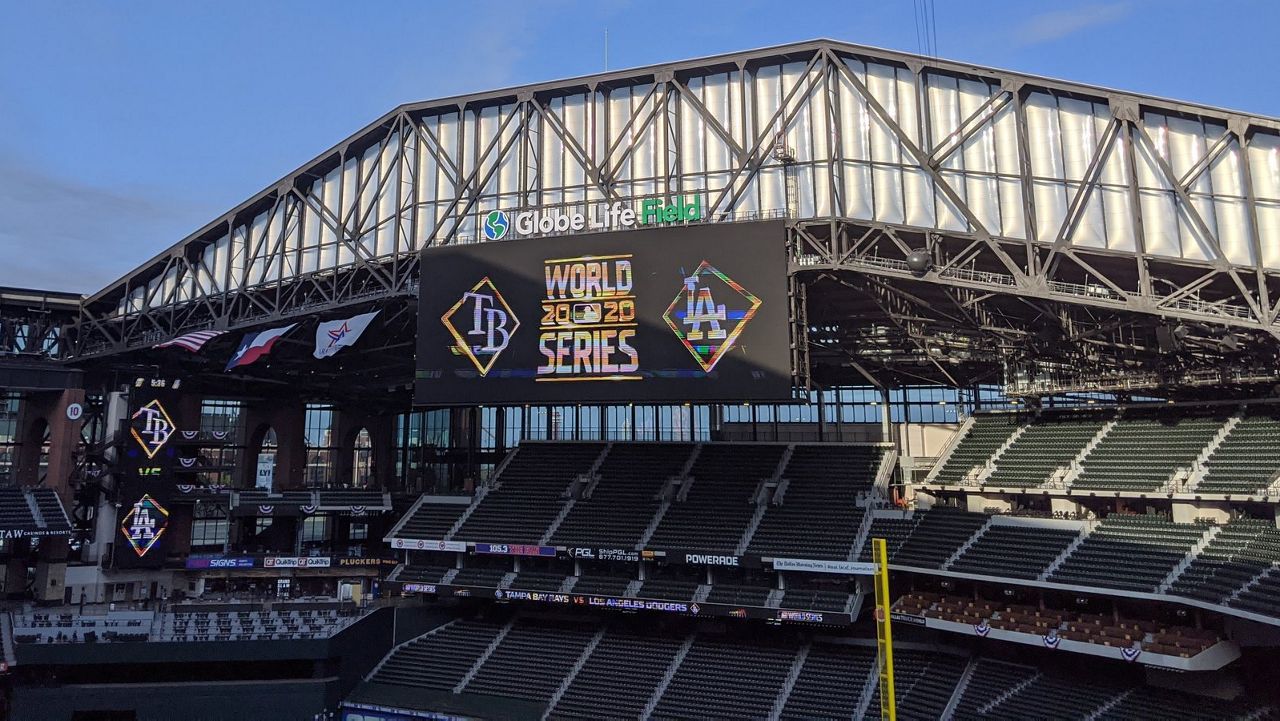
550, 649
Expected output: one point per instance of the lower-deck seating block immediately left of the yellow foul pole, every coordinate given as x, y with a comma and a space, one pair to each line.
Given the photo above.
830, 683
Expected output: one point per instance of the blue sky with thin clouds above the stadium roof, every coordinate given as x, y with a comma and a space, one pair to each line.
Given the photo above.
125, 126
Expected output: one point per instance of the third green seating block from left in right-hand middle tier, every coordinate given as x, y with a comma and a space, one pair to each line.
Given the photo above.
1130, 553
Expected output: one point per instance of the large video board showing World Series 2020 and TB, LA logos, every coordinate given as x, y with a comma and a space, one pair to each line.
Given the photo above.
694, 313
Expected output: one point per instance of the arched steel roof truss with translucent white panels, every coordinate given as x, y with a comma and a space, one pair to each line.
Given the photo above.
1036, 203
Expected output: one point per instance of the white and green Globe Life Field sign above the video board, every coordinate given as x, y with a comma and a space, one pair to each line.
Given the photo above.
596, 217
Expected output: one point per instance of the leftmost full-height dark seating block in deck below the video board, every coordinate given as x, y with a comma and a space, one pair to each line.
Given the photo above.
531, 494
